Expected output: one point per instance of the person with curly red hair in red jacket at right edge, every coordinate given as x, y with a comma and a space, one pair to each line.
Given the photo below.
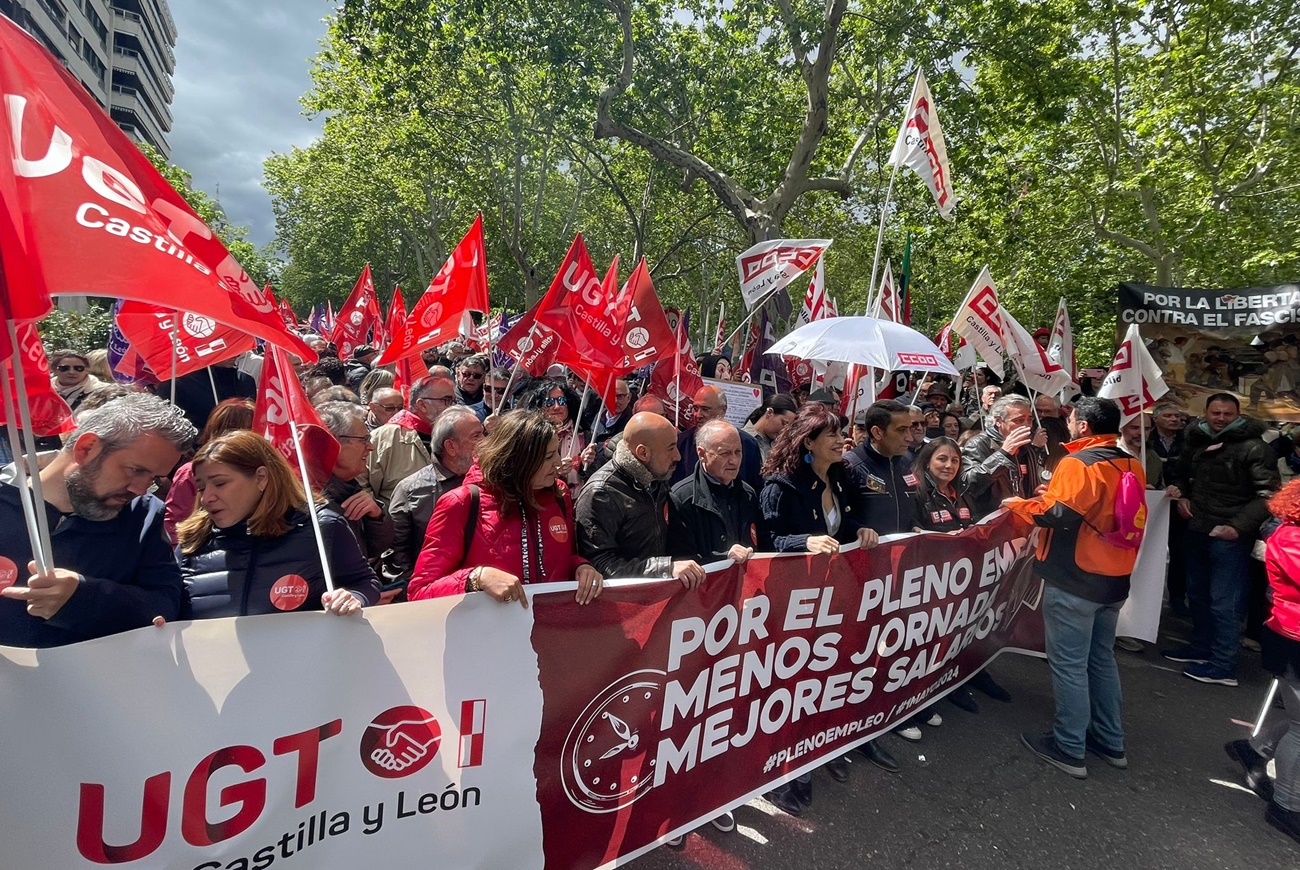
1281, 653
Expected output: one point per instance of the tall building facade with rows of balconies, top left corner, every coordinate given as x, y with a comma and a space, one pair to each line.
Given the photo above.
123, 51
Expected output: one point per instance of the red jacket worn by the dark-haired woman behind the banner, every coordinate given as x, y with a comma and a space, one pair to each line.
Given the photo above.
444, 566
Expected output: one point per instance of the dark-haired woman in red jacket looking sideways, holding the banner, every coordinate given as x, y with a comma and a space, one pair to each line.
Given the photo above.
522, 533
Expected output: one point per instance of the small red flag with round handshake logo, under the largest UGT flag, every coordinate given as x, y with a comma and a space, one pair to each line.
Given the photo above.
200, 340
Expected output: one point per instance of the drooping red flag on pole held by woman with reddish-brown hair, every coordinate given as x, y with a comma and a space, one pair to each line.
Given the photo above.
280, 401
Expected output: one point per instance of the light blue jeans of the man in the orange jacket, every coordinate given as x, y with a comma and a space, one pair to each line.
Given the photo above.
1081, 640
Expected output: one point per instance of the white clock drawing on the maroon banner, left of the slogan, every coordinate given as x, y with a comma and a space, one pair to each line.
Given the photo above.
608, 761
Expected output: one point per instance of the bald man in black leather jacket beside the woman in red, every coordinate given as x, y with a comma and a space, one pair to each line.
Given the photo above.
622, 526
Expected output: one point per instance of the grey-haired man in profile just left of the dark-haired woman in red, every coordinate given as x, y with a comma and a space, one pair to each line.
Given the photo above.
456, 439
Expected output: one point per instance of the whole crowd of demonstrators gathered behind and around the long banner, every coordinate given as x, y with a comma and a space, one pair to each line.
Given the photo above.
476, 482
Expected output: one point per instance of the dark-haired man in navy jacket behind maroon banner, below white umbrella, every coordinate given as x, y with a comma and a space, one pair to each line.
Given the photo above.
882, 469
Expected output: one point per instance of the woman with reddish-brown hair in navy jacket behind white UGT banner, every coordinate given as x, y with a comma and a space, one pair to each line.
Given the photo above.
250, 547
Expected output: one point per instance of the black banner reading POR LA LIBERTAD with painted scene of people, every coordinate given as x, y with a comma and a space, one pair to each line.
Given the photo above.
1243, 341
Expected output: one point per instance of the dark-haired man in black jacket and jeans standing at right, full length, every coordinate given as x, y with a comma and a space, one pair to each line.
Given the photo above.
1223, 483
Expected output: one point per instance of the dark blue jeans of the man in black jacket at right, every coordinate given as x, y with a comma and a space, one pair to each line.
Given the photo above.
1217, 586
